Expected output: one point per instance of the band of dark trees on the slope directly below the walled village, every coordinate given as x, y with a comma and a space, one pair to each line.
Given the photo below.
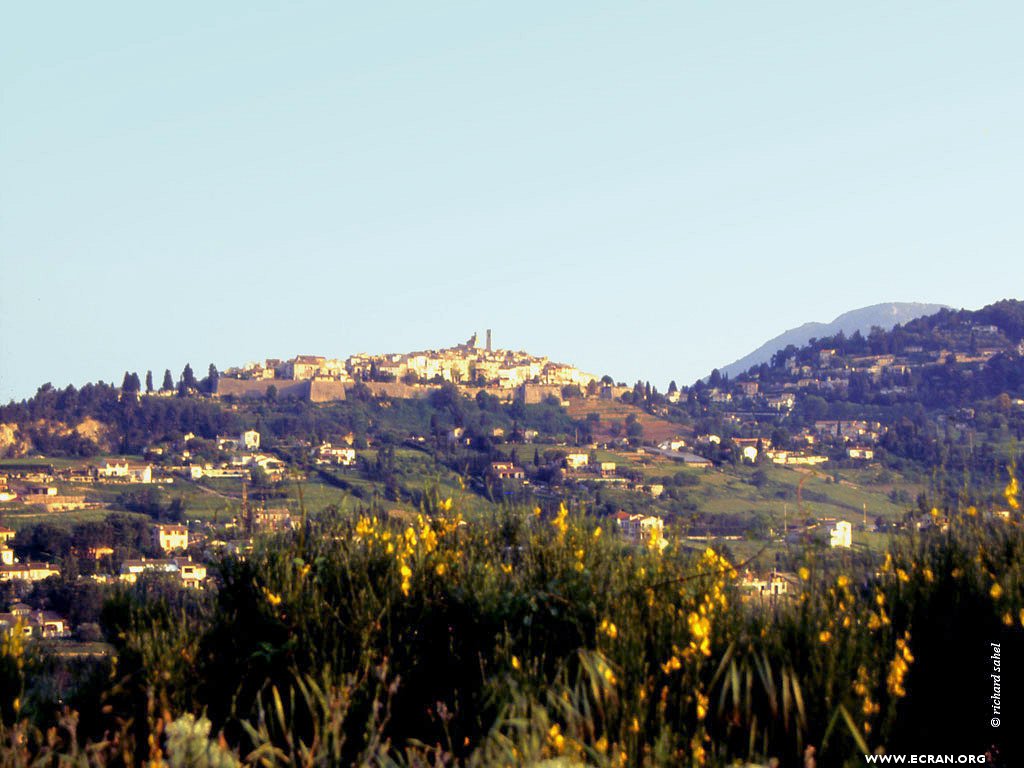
136, 422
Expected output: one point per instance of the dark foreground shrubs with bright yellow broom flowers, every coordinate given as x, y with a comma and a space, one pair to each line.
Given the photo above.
533, 637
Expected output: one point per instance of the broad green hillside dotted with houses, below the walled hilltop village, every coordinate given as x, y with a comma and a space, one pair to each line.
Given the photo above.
875, 414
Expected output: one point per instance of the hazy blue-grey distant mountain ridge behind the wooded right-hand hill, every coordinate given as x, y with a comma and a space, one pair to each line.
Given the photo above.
884, 316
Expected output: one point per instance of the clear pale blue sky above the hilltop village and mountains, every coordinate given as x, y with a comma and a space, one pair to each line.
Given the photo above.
646, 190
